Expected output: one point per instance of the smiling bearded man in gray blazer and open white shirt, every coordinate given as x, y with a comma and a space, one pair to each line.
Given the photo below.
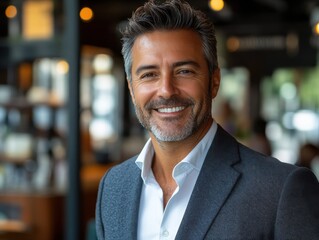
192, 180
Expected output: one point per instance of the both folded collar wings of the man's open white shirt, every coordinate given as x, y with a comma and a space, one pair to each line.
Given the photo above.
195, 158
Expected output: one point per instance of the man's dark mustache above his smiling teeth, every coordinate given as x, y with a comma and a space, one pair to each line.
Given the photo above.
168, 102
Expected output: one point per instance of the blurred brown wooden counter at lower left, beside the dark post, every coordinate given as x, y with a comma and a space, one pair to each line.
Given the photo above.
41, 216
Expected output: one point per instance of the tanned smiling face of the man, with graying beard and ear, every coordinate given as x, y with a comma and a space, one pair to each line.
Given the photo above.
171, 87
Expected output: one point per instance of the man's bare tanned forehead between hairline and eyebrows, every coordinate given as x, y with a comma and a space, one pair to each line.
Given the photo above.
167, 45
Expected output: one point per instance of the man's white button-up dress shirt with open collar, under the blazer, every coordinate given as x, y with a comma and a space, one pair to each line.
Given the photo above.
154, 222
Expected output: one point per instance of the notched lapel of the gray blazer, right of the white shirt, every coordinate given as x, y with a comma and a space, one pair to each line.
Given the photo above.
215, 182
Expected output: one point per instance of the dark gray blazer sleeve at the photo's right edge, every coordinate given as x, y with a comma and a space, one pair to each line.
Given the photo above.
298, 208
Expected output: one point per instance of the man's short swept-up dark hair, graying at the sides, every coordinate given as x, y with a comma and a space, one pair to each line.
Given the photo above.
168, 15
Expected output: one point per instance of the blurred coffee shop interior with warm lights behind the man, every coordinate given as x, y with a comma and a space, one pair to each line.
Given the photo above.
66, 116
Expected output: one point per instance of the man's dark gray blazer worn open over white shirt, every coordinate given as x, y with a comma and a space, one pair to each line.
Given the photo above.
239, 194
